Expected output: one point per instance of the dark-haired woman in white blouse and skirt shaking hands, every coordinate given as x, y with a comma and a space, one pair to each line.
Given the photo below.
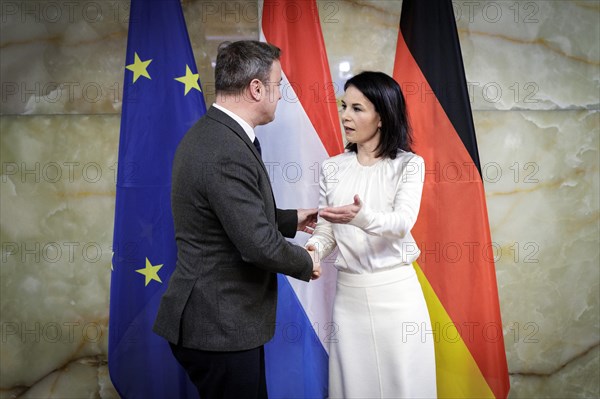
369, 201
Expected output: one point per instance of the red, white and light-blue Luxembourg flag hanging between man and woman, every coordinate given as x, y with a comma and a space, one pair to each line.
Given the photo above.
306, 131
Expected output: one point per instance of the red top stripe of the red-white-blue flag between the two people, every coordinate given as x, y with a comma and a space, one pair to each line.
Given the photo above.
294, 27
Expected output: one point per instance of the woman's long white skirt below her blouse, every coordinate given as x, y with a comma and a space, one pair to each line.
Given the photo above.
384, 346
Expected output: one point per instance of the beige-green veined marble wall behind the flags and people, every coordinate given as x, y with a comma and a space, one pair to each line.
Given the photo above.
533, 69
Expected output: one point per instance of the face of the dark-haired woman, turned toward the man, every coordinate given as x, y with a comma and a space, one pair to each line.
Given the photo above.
361, 121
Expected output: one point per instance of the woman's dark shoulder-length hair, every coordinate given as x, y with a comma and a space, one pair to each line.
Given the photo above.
386, 95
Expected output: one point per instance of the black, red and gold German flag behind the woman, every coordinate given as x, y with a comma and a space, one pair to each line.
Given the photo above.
456, 266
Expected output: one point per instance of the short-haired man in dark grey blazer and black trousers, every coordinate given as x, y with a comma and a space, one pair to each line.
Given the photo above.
219, 308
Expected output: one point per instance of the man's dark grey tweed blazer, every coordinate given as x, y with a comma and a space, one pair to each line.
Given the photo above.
222, 295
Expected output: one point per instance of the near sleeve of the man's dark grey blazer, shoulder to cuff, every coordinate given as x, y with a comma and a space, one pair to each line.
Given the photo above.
238, 201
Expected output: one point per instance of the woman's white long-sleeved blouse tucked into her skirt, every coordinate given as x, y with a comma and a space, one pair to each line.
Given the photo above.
379, 235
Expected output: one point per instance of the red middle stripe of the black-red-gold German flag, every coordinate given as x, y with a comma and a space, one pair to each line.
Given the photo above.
452, 229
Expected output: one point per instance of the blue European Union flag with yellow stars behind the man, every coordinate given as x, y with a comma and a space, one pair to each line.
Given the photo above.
162, 99
